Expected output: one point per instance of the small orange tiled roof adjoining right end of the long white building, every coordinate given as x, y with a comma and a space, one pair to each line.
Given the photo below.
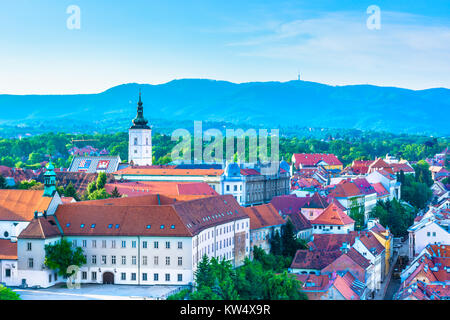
263, 216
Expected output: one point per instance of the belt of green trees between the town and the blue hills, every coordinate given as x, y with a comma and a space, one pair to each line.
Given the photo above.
29, 152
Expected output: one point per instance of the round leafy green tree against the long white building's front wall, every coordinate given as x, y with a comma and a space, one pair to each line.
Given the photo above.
61, 255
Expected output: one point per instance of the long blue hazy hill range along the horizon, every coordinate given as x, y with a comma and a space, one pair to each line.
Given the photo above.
270, 104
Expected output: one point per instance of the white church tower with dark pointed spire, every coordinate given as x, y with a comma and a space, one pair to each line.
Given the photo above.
140, 139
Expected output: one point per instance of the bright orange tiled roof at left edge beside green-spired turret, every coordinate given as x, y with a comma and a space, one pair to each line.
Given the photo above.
20, 205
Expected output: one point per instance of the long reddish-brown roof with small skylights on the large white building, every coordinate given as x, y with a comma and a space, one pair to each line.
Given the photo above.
144, 216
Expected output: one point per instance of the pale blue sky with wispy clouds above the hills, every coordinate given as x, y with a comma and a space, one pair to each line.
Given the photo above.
154, 42
